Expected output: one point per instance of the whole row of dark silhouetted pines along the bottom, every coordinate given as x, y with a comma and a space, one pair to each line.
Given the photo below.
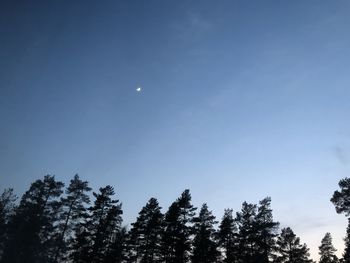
51, 223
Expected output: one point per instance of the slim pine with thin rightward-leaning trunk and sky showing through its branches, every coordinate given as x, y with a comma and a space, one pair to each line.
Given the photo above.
73, 212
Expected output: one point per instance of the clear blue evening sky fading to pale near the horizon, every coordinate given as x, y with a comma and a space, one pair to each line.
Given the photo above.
240, 100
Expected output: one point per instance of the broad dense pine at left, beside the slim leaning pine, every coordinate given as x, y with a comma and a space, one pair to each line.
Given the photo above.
32, 229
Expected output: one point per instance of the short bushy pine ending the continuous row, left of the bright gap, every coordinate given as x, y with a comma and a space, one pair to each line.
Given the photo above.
289, 249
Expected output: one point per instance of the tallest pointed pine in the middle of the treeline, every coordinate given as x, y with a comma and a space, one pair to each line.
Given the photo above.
176, 243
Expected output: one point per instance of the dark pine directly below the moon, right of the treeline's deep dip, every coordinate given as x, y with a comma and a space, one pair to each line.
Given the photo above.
145, 235
